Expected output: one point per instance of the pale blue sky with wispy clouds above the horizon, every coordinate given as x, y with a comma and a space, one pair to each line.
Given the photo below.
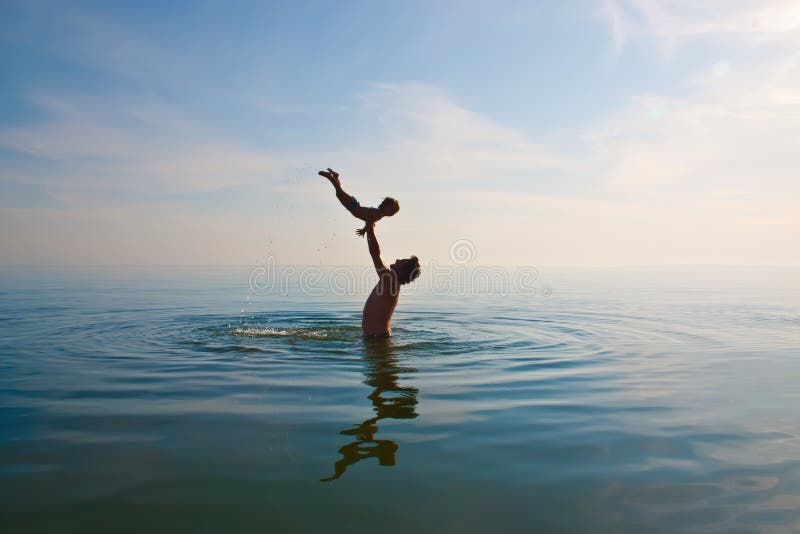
608, 132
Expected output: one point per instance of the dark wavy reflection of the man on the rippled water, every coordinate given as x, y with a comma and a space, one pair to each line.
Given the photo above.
389, 401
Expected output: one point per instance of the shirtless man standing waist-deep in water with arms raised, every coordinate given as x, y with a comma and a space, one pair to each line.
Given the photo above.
377, 318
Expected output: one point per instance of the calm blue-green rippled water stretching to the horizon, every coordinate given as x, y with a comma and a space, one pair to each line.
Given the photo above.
175, 399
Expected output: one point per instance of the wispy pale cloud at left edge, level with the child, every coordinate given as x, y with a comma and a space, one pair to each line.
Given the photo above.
136, 146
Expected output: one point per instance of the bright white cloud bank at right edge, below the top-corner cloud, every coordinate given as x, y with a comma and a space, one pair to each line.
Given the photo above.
737, 131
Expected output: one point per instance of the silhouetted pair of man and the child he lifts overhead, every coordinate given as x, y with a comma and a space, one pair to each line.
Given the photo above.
376, 321
